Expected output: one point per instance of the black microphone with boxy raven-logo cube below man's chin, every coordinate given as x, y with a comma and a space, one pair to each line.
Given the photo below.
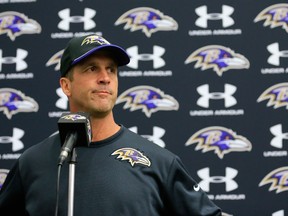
74, 130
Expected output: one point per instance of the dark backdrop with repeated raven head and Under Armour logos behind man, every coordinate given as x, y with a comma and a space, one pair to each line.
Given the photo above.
209, 80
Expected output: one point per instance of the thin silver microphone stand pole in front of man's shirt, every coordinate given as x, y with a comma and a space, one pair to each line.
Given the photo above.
71, 183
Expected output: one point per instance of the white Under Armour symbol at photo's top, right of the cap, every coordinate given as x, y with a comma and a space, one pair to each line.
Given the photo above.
202, 21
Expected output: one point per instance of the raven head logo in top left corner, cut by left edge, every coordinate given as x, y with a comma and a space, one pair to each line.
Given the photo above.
15, 24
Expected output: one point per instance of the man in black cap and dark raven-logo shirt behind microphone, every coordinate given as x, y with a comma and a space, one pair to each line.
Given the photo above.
120, 173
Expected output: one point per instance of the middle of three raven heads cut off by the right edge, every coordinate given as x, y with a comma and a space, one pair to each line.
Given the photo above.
277, 95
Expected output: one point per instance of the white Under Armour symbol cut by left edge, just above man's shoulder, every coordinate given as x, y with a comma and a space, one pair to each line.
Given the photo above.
15, 139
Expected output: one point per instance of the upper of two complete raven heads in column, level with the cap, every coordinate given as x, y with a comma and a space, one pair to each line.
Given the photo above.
217, 57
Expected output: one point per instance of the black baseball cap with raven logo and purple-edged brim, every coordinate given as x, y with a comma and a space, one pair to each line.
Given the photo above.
79, 48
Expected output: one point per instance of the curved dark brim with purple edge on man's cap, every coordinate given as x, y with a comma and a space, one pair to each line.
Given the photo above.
119, 54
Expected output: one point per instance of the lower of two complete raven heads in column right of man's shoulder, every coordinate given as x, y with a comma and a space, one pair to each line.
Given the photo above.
220, 140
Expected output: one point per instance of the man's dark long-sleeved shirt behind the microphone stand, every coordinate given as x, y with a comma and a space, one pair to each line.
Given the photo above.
105, 184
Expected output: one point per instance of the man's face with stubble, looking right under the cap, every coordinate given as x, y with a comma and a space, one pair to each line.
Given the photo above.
94, 85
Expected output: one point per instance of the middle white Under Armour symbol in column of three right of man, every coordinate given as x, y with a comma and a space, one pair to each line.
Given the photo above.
206, 96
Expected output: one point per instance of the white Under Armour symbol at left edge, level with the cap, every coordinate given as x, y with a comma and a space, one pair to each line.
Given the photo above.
18, 60
